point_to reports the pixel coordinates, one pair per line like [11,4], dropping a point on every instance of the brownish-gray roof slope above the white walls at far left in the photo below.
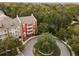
[7,22]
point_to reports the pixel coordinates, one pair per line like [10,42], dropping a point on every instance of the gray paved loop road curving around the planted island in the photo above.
[28,49]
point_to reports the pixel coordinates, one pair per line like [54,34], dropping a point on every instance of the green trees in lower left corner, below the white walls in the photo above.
[8,46]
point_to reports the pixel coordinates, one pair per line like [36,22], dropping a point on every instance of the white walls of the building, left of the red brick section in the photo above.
[13,32]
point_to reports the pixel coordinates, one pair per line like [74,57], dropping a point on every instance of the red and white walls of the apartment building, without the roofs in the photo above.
[24,30]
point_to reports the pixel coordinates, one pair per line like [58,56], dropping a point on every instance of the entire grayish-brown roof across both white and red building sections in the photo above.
[8,23]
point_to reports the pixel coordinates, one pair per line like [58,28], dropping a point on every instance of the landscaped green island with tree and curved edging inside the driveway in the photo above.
[46,46]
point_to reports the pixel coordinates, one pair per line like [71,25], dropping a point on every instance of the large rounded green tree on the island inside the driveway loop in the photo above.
[46,42]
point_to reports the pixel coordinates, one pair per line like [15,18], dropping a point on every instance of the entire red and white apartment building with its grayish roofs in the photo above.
[19,26]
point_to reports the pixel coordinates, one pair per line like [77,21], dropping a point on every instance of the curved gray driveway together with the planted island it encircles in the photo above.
[45,48]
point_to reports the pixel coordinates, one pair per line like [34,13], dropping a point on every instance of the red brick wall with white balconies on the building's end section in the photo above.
[28,29]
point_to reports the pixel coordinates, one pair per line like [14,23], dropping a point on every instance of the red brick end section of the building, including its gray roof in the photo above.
[28,25]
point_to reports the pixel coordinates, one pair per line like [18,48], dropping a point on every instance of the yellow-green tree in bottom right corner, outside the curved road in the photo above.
[74,43]
